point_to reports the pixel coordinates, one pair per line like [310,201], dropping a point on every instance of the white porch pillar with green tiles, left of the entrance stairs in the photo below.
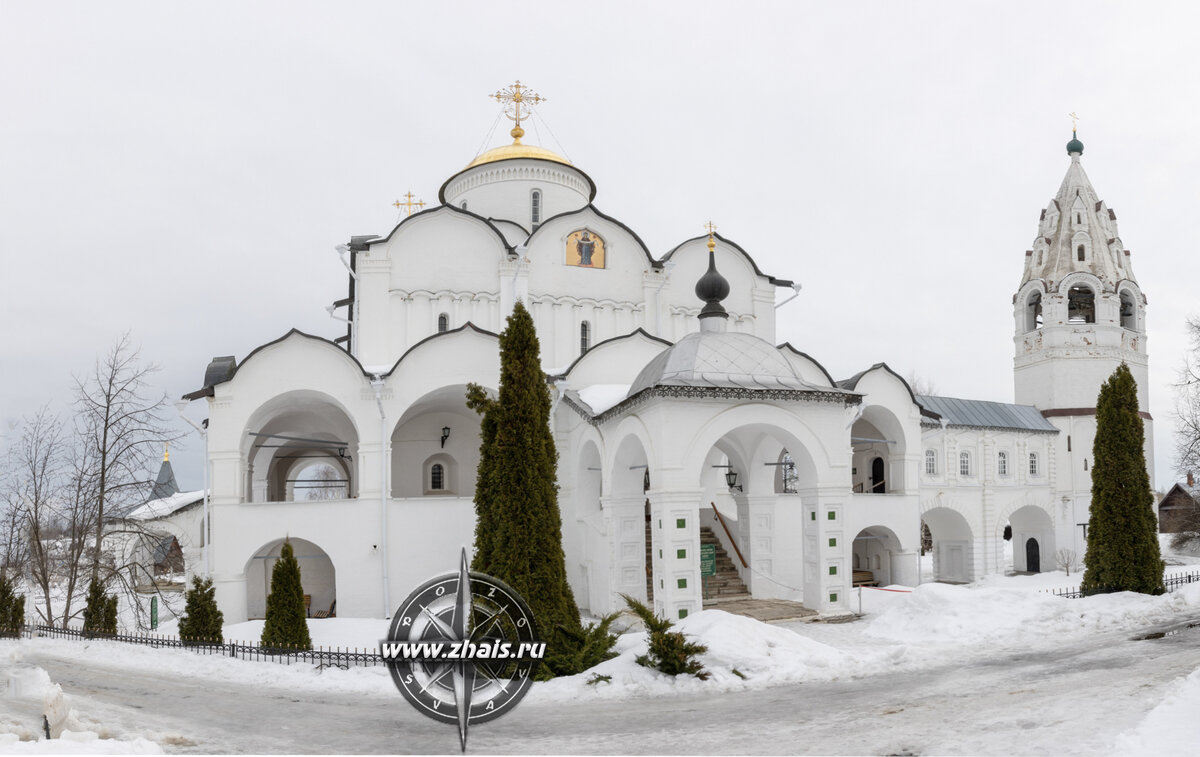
[675,528]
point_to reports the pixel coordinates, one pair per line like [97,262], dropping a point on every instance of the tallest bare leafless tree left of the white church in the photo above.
[122,426]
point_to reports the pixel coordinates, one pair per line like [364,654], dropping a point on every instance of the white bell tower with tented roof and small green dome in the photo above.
[1079,314]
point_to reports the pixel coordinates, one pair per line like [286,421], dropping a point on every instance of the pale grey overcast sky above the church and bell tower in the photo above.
[185,171]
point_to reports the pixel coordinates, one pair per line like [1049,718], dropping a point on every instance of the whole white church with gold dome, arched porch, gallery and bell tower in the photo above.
[677,417]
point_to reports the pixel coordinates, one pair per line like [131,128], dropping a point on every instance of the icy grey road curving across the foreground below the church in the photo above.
[1073,700]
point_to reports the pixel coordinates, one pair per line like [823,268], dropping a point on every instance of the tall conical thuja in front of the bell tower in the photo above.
[1123,539]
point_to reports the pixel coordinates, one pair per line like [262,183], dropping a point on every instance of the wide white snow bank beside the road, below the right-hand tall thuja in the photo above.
[943,614]
